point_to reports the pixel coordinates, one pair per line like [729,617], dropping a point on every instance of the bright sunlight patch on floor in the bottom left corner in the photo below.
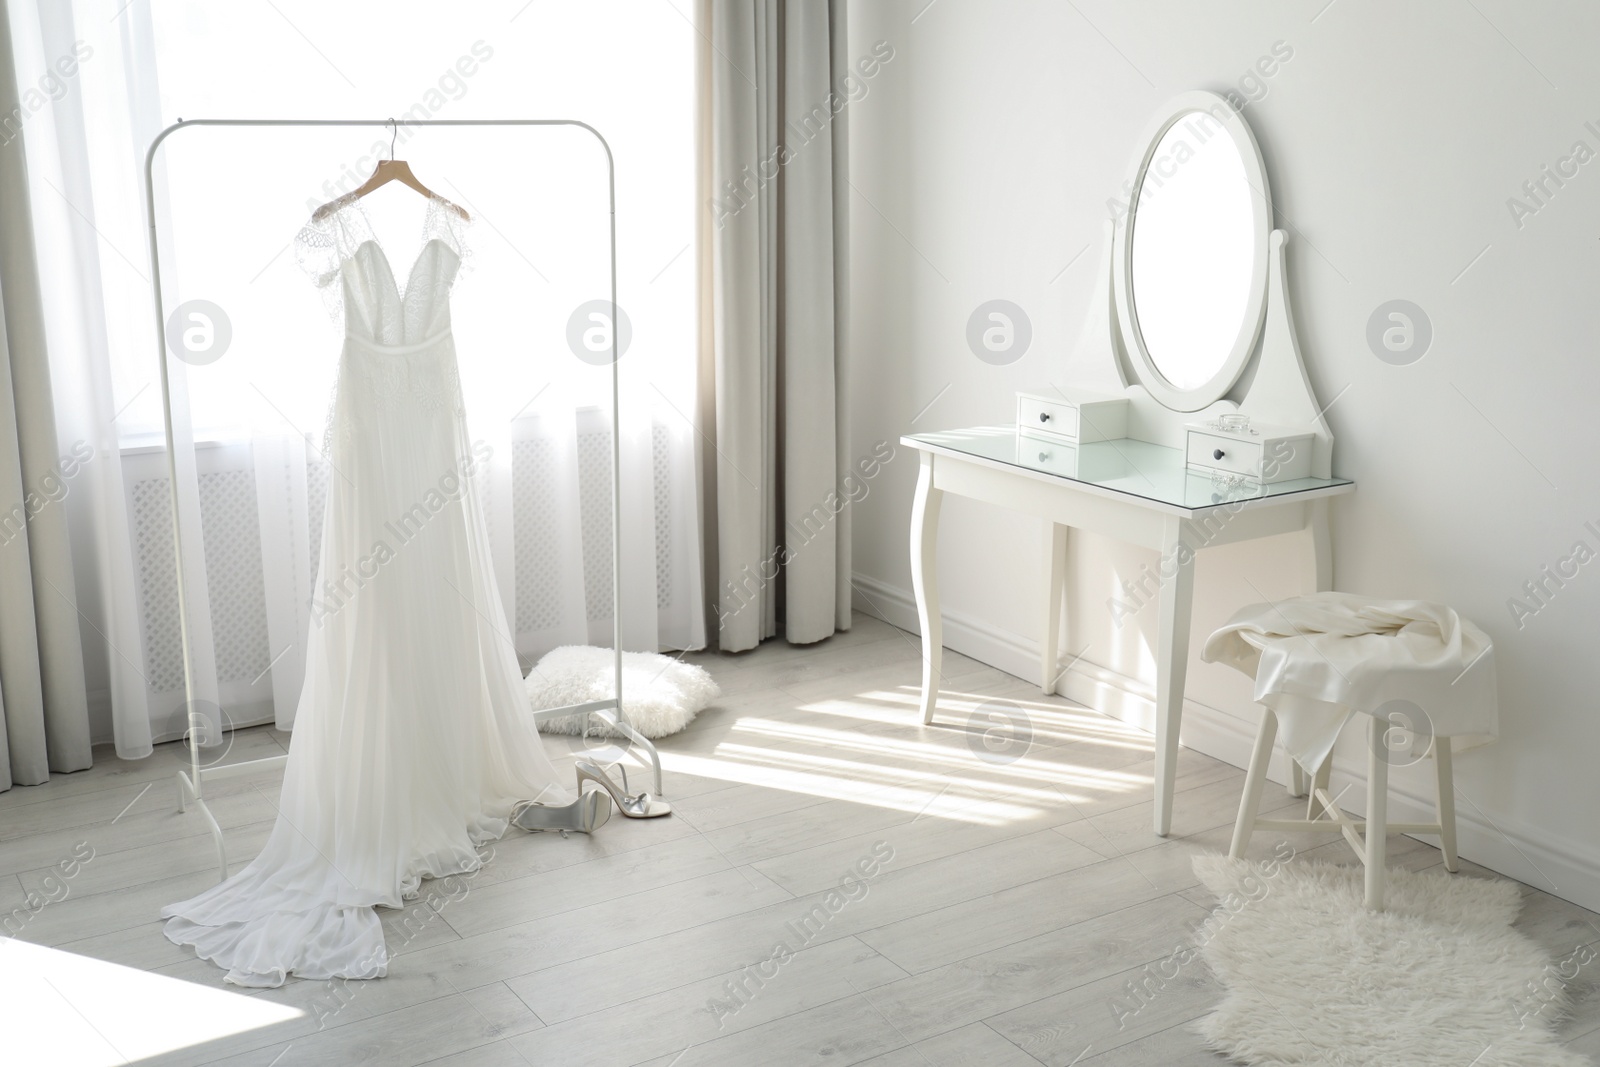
[79,1012]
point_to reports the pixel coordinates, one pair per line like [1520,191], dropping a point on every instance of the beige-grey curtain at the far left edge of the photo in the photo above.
[46,724]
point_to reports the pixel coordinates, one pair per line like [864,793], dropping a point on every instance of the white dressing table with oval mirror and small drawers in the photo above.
[1183,420]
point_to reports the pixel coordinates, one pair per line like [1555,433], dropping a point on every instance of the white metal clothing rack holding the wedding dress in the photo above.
[191,783]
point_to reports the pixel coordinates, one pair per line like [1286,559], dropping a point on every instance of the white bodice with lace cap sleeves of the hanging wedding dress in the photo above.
[346,263]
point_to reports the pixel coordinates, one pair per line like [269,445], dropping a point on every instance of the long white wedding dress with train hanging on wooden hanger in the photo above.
[414,738]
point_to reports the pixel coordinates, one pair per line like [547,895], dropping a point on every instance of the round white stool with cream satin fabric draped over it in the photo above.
[1420,673]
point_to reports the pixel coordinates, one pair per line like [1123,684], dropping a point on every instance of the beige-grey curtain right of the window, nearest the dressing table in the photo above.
[774,319]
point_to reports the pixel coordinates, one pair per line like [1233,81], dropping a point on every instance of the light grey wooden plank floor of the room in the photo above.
[1014,895]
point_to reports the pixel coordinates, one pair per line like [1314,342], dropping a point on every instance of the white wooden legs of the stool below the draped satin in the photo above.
[1366,836]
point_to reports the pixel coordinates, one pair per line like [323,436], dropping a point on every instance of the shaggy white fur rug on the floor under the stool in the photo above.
[1314,978]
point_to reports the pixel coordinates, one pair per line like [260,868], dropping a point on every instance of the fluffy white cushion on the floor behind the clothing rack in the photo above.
[660,695]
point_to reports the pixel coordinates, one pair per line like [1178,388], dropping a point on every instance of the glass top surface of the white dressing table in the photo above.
[1153,473]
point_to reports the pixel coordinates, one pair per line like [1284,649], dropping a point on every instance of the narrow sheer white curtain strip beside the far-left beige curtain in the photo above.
[79,137]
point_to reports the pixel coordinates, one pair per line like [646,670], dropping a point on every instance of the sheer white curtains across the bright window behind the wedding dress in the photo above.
[250,422]
